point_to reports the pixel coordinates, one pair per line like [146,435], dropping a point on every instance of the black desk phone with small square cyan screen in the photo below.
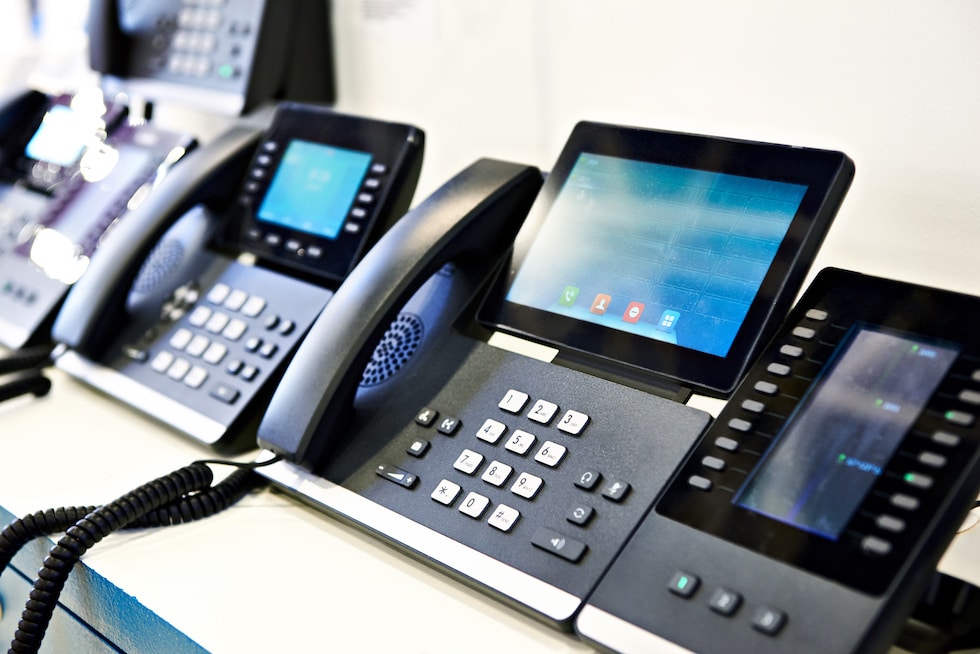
[173,320]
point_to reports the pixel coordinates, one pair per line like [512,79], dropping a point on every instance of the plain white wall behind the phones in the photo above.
[894,83]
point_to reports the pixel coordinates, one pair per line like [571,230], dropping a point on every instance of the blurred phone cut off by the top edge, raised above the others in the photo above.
[224,57]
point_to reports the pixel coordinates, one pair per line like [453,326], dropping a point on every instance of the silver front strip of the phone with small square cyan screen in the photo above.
[147,400]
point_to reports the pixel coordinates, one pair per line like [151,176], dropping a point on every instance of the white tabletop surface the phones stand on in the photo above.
[269,574]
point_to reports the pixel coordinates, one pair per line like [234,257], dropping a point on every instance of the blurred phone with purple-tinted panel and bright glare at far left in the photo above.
[71,166]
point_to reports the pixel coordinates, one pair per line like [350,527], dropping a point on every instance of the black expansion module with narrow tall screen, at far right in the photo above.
[810,515]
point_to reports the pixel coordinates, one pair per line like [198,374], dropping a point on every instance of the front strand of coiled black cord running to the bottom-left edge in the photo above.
[87,532]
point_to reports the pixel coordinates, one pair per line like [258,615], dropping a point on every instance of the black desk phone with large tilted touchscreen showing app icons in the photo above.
[654,258]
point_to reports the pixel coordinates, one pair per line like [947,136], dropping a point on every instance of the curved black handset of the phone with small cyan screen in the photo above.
[95,307]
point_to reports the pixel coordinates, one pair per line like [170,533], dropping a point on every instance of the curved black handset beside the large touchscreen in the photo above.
[472,218]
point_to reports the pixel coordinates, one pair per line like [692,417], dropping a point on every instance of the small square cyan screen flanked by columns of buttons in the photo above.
[314,187]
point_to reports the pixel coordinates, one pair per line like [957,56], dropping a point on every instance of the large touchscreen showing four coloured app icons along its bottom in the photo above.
[664,252]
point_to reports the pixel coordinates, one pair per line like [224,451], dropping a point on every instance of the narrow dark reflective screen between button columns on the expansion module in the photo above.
[846,429]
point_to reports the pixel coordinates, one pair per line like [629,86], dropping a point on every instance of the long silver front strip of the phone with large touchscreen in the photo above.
[554,603]
